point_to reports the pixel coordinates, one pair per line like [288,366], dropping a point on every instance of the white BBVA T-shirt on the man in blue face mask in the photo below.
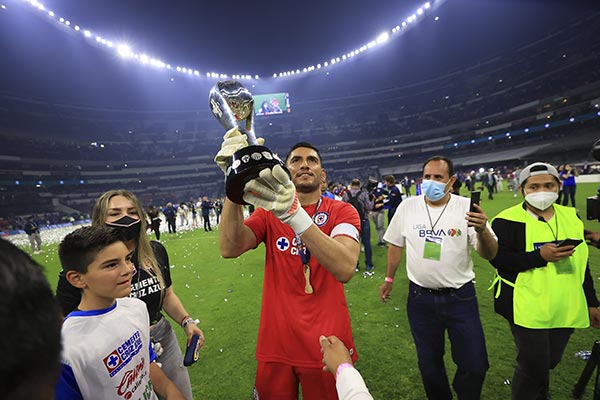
[411,226]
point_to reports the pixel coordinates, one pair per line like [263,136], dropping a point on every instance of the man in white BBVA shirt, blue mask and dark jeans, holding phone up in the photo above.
[436,229]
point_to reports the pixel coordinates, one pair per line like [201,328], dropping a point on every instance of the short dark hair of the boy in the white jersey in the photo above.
[79,248]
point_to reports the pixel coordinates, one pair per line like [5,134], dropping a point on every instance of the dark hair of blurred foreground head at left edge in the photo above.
[30,328]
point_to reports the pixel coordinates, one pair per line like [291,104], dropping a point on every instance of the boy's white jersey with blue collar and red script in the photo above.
[107,353]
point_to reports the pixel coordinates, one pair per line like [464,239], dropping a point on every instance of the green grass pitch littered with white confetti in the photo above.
[225,295]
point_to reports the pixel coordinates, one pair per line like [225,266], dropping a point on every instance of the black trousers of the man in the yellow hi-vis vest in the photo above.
[538,351]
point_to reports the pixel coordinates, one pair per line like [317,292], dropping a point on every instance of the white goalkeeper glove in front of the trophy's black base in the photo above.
[274,191]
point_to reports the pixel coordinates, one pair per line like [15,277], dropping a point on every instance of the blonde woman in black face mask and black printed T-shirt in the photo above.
[120,209]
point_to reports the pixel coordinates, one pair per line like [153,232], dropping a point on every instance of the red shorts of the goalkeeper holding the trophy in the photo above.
[276,381]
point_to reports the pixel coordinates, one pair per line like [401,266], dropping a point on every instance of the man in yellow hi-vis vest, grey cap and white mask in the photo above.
[544,289]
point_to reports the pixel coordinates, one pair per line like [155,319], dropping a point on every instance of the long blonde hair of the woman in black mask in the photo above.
[145,255]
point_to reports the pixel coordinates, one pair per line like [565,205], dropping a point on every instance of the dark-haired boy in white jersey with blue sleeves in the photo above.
[107,351]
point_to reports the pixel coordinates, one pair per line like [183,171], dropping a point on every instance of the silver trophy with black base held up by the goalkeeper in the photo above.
[230,103]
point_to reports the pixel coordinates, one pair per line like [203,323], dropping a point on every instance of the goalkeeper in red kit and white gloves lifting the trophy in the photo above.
[312,247]
